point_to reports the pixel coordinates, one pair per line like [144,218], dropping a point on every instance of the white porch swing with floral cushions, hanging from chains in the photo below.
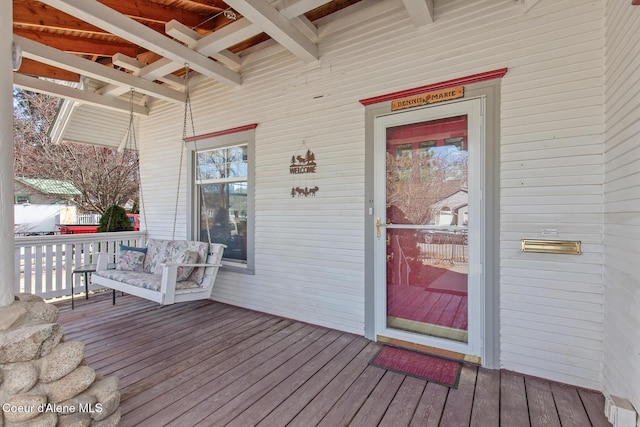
[165,271]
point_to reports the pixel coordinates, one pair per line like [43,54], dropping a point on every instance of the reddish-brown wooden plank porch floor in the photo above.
[209,364]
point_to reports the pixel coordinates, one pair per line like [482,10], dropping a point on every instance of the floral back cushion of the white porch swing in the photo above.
[160,252]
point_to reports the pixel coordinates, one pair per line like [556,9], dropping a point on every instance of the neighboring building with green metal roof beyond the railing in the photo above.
[40,191]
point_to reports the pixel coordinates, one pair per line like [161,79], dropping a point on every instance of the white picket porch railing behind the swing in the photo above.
[44,265]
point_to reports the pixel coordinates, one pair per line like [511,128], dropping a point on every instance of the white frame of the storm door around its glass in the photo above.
[473,109]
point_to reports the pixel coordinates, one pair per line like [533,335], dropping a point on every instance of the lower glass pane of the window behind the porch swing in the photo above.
[223,211]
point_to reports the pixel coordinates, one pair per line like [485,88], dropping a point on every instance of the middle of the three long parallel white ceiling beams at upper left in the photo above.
[54,57]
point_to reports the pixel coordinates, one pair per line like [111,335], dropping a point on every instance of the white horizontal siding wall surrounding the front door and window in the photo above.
[309,252]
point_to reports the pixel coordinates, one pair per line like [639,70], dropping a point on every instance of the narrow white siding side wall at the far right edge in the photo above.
[622,202]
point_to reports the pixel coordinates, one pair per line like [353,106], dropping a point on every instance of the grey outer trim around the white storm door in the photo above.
[489,91]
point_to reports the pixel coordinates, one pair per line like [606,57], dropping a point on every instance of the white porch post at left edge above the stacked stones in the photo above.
[7,253]
